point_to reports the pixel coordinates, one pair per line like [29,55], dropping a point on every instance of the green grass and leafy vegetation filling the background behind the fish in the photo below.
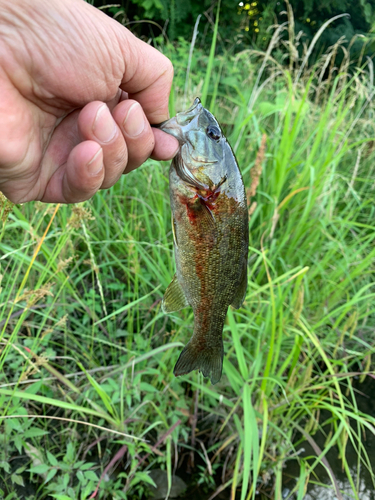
[89,405]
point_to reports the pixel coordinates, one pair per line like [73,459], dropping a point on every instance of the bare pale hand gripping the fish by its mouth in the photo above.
[78,95]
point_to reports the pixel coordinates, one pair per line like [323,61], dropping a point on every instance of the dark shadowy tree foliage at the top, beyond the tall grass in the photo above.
[244,24]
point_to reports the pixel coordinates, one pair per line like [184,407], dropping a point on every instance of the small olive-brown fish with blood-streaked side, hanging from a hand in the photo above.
[210,236]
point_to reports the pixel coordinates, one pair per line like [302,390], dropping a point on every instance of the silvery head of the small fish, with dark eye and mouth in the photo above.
[199,134]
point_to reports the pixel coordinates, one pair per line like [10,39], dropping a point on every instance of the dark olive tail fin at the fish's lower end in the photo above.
[209,361]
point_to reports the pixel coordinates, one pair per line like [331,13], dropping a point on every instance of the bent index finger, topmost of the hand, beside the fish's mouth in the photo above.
[148,78]
